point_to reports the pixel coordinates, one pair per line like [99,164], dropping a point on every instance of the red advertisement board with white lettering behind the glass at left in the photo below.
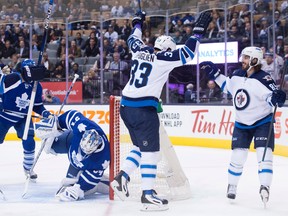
[59,89]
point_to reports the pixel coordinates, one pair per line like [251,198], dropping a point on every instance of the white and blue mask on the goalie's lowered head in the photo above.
[91,141]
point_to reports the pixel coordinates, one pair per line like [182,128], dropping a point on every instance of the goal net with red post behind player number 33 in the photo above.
[171,181]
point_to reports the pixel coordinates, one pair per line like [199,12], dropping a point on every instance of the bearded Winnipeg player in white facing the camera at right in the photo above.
[254,94]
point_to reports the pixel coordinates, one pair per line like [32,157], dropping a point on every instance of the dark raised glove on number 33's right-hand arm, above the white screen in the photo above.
[201,24]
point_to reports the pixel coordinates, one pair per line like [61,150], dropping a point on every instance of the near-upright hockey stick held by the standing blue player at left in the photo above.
[34,89]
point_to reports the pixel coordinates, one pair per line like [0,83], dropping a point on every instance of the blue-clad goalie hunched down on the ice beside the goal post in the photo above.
[88,152]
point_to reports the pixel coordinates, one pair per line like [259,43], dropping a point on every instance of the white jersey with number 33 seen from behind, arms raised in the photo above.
[150,71]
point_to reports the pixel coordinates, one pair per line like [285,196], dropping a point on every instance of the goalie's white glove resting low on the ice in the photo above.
[72,193]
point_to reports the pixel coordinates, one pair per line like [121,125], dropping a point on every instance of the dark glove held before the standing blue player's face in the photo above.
[33,73]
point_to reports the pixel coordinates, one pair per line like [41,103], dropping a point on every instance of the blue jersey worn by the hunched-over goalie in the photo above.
[76,122]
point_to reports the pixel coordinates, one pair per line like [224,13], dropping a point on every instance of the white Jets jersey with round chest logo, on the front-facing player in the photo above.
[251,95]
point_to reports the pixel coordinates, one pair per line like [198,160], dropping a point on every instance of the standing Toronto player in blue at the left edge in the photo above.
[16,90]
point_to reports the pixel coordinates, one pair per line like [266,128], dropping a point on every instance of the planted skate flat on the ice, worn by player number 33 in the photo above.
[153,203]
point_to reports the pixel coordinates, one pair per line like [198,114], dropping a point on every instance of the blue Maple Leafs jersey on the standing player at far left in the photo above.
[15,95]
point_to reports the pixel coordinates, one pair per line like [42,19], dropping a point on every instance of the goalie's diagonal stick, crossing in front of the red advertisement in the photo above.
[76,76]
